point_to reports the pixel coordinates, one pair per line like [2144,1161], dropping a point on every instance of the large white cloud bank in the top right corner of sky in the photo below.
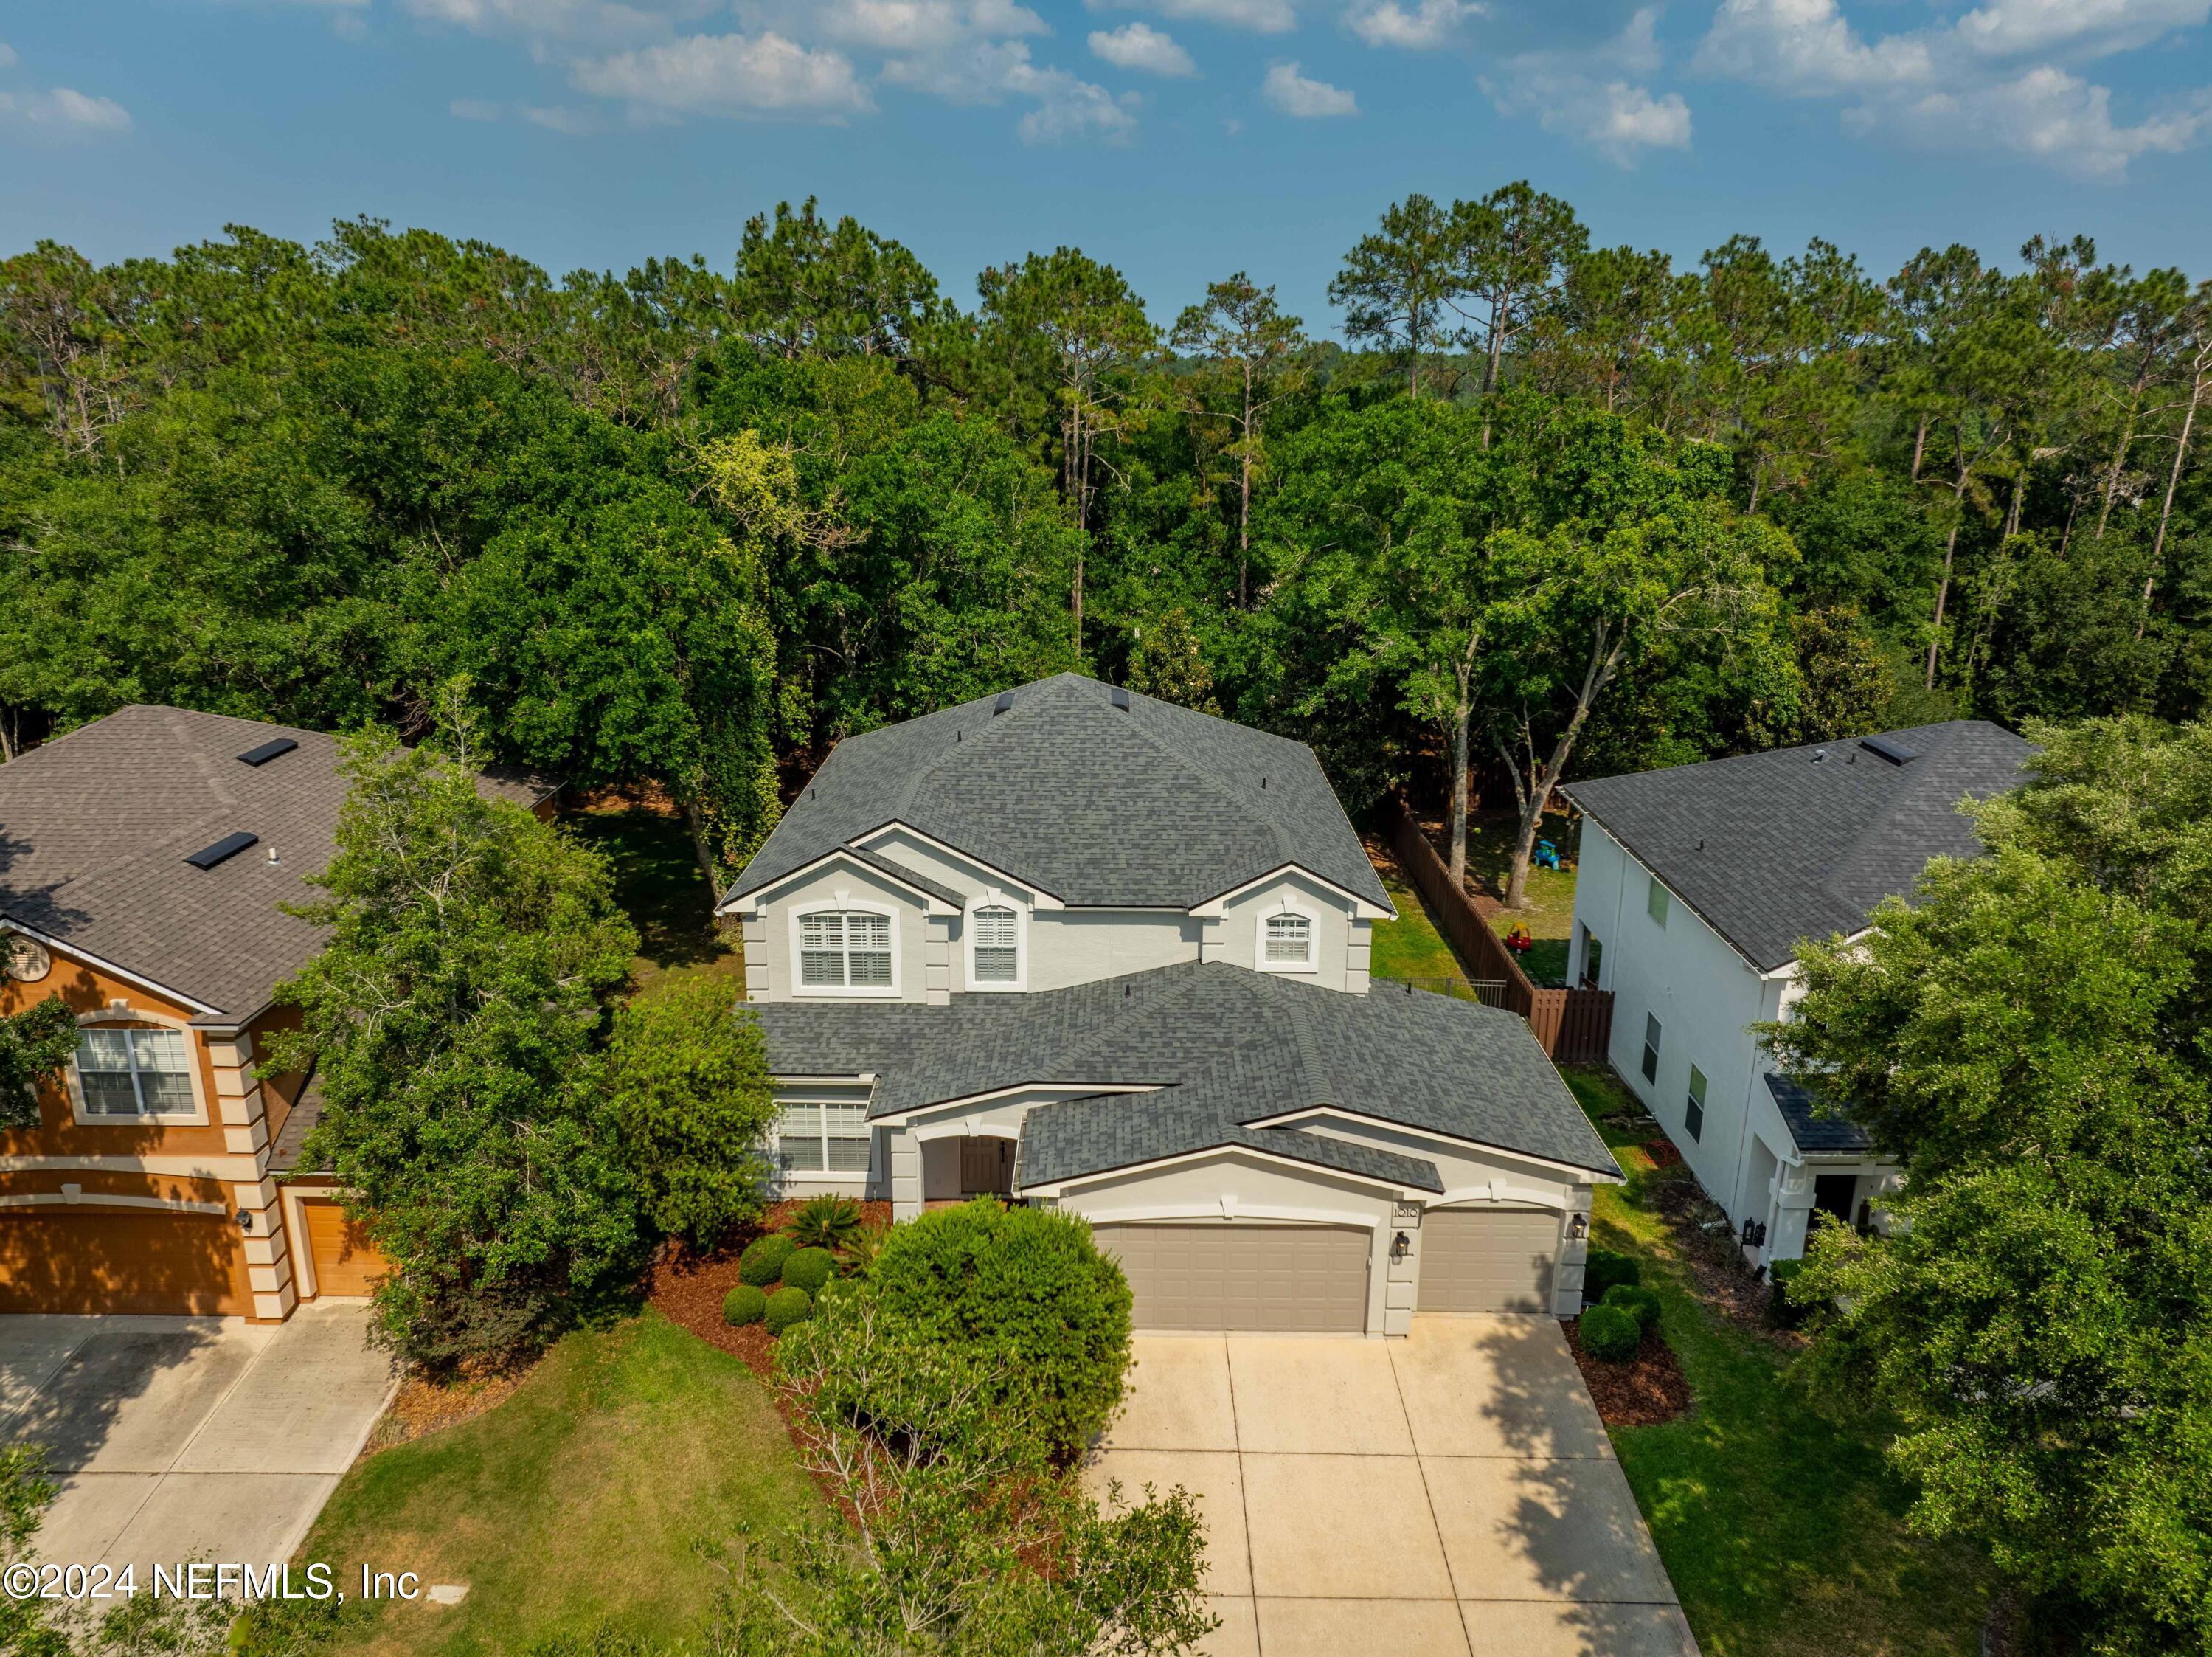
[1970,83]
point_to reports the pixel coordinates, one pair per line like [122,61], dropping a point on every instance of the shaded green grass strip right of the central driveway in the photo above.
[1782,1530]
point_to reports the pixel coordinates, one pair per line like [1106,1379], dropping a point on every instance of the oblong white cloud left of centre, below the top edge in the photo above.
[729,76]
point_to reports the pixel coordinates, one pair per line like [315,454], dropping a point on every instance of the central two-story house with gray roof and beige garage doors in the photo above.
[1089,950]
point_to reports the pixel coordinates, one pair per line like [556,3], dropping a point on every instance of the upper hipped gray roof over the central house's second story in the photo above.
[1142,806]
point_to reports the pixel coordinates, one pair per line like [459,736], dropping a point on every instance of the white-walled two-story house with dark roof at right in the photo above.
[1693,895]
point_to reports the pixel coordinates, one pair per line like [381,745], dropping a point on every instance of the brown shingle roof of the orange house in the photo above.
[96,828]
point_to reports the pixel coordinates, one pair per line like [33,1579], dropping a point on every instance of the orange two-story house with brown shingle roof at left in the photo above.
[143,871]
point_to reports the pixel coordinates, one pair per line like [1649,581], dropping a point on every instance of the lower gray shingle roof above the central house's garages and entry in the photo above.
[1229,1048]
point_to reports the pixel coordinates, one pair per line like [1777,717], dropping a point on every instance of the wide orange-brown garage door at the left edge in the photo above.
[123,1260]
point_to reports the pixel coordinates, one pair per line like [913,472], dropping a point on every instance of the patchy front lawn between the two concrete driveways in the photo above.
[574,1503]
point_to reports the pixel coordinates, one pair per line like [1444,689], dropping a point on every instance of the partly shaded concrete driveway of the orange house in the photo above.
[189,1437]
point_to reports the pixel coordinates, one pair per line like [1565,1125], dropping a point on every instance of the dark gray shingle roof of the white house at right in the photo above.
[1775,848]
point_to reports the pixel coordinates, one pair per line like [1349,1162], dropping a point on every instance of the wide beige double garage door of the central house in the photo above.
[1244,1278]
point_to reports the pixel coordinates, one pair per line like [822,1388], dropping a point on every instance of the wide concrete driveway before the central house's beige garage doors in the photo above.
[1448,1494]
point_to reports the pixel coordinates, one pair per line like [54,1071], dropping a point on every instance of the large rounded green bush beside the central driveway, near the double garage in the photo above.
[1027,1289]
